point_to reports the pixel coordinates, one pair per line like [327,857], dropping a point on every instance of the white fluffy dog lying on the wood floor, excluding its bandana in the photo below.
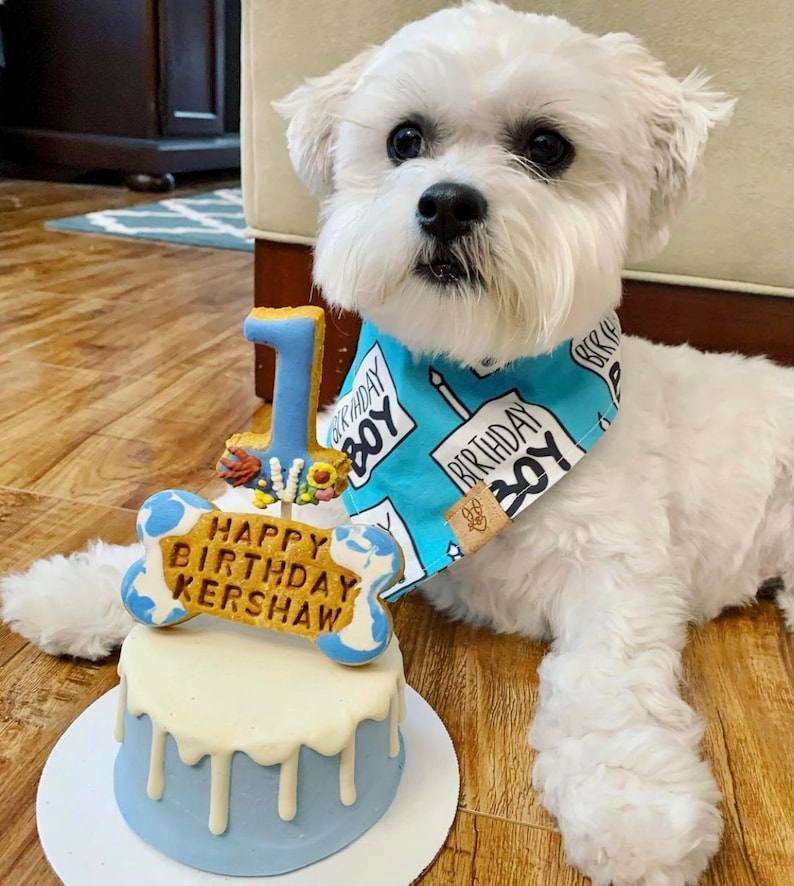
[483,177]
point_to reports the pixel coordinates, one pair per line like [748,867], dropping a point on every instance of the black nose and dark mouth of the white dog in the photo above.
[446,212]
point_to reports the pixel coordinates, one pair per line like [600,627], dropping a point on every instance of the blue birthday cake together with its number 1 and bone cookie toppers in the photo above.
[262,691]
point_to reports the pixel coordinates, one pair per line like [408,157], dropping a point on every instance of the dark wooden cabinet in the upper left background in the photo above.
[145,87]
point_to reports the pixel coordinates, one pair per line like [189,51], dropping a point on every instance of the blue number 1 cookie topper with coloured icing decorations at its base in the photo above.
[288,465]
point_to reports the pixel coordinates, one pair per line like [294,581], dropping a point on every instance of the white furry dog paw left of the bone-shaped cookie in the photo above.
[71,605]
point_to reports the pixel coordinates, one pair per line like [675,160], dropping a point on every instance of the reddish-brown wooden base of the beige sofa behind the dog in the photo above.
[708,319]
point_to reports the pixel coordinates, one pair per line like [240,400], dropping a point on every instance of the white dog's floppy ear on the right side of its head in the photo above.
[677,118]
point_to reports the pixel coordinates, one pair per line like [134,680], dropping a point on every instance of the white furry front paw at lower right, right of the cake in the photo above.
[650,820]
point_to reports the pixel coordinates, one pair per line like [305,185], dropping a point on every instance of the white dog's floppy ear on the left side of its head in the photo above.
[312,110]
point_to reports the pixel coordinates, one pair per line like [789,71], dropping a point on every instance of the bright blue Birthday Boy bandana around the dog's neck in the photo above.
[445,457]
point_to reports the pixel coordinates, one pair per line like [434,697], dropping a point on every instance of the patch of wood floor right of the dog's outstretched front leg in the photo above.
[736,678]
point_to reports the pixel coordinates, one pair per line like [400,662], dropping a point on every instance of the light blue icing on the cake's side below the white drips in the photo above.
[257,841]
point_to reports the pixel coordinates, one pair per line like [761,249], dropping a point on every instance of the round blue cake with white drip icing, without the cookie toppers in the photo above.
[249,753]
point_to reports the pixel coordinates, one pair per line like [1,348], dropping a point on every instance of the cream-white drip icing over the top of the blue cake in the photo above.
[311,720]
